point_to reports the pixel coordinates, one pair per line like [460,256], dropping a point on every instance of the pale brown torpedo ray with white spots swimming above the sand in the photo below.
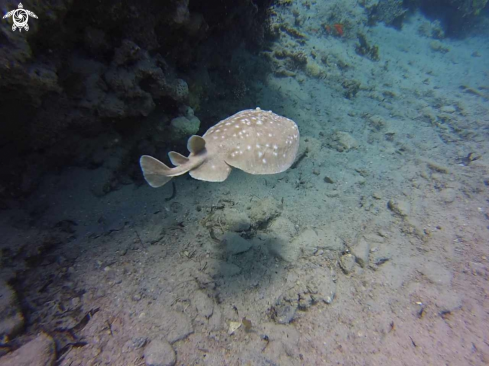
[255,141]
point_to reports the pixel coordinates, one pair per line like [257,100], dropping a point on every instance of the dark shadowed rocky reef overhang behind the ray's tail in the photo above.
[109,69]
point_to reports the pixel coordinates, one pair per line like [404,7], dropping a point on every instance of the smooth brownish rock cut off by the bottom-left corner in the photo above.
[41,351]
